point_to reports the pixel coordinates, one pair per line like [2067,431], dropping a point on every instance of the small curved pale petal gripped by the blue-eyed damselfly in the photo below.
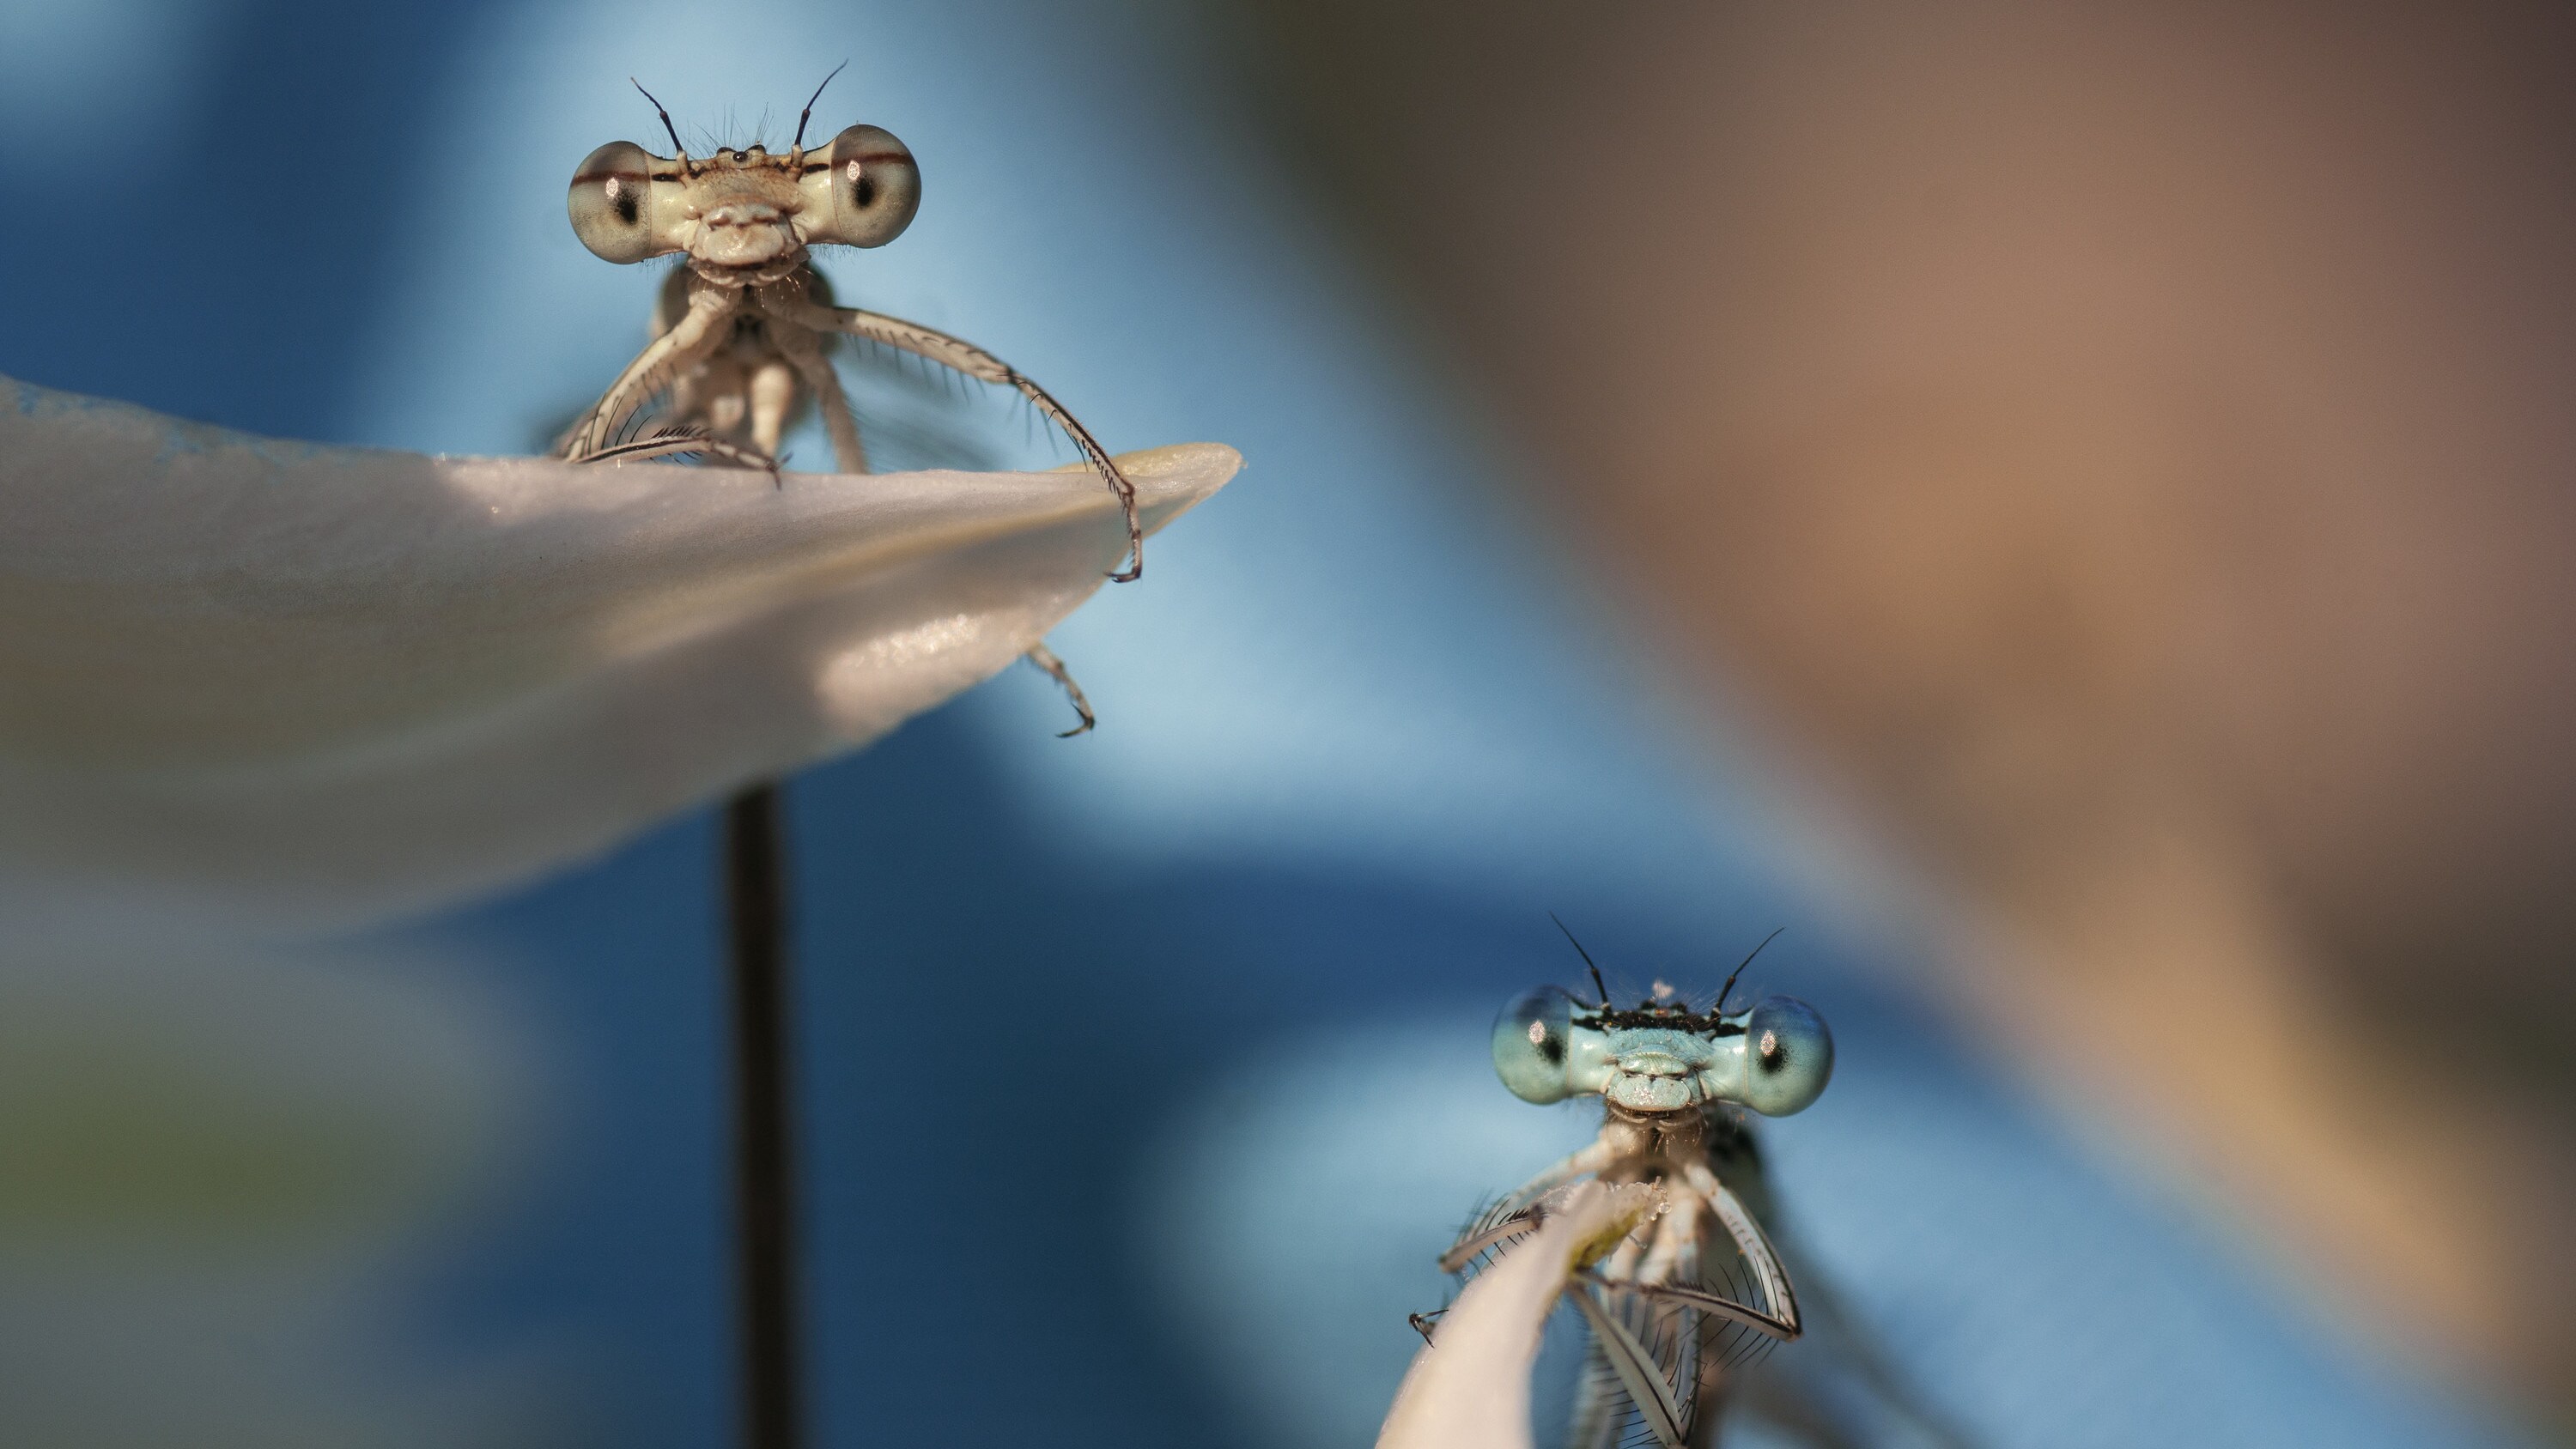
[1470,1386]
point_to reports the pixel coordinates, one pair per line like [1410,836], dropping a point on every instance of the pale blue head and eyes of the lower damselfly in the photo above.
[1663,1057]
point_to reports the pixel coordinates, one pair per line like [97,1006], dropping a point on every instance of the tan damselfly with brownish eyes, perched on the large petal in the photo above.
[743,331]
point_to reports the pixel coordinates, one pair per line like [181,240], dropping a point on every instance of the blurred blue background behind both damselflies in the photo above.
[1235,954]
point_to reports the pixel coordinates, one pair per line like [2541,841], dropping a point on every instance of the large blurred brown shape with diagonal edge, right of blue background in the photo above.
[2129,449]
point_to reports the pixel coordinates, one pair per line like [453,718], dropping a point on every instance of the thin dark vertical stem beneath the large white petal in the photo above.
[756,905]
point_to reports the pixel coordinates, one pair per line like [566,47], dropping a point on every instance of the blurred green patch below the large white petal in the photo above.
[133,1126]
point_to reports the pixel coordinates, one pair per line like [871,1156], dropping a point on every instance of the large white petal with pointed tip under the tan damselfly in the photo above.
[318,686]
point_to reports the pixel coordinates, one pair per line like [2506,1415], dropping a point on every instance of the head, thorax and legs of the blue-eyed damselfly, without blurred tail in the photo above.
[1696,1288]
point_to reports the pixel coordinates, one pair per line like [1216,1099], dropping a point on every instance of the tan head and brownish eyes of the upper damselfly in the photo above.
[746,210]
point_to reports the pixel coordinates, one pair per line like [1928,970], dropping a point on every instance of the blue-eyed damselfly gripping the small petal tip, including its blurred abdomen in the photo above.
[1676,1309]
